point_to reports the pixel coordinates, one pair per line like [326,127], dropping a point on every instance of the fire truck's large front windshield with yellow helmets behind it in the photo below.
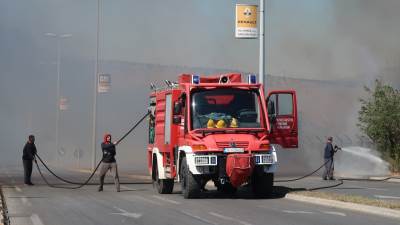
[226,108]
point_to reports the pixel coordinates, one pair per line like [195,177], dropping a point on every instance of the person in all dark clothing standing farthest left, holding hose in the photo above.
[28,156]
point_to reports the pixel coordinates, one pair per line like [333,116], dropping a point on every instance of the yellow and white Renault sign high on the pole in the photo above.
[246,21]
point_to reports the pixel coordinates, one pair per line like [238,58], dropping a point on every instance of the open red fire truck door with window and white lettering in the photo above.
[282,115]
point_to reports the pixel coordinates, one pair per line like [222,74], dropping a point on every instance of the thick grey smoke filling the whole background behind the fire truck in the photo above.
[326,50]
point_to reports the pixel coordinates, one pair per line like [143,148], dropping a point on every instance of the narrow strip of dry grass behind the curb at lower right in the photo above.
[351,198]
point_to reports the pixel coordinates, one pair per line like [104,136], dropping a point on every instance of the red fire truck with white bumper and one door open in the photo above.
[218,128]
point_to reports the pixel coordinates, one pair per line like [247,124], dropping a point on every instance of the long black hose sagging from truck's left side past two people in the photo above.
[91,175]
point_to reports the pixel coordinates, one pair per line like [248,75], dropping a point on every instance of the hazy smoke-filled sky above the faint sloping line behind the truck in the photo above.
[317,39]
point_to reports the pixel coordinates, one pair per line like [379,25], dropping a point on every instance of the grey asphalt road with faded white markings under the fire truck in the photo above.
[140,204]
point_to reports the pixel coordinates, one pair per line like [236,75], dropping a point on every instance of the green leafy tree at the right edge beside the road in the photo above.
[379,120]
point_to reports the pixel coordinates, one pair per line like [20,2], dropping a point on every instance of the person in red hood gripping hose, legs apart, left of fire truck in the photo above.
[108,162]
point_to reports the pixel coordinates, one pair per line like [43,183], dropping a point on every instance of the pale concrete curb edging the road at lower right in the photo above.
[347,205]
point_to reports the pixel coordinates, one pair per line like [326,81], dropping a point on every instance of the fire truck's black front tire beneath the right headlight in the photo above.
[262,183]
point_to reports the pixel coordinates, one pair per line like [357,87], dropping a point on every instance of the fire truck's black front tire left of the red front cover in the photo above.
[190,187]
